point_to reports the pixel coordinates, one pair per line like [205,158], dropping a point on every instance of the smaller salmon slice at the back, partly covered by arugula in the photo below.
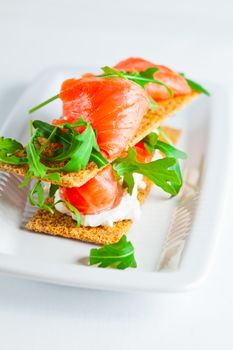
[172,79]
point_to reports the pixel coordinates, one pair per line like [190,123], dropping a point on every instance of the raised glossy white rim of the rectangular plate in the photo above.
[192,273]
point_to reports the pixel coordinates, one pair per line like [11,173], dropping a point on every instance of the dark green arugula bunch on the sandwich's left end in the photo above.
[75,149]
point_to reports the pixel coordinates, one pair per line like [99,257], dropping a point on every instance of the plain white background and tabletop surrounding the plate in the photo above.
[192,36]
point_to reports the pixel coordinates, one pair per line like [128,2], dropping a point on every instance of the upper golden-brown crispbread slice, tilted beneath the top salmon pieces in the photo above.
[150,121]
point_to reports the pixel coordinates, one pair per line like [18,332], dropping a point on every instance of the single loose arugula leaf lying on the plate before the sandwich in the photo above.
[119,255]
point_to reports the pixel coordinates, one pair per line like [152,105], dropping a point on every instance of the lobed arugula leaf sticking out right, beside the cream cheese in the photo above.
[161,172]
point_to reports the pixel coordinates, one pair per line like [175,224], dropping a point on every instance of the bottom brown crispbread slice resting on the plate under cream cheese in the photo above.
[63,225]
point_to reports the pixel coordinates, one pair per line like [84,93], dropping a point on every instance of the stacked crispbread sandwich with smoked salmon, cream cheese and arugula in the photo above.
[93,167]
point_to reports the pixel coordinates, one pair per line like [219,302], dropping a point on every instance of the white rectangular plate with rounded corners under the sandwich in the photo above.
[206,137]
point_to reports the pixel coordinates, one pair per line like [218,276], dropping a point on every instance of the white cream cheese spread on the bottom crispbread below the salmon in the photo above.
[128,208]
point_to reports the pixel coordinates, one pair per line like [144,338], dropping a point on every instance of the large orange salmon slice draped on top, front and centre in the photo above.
[113,106]
